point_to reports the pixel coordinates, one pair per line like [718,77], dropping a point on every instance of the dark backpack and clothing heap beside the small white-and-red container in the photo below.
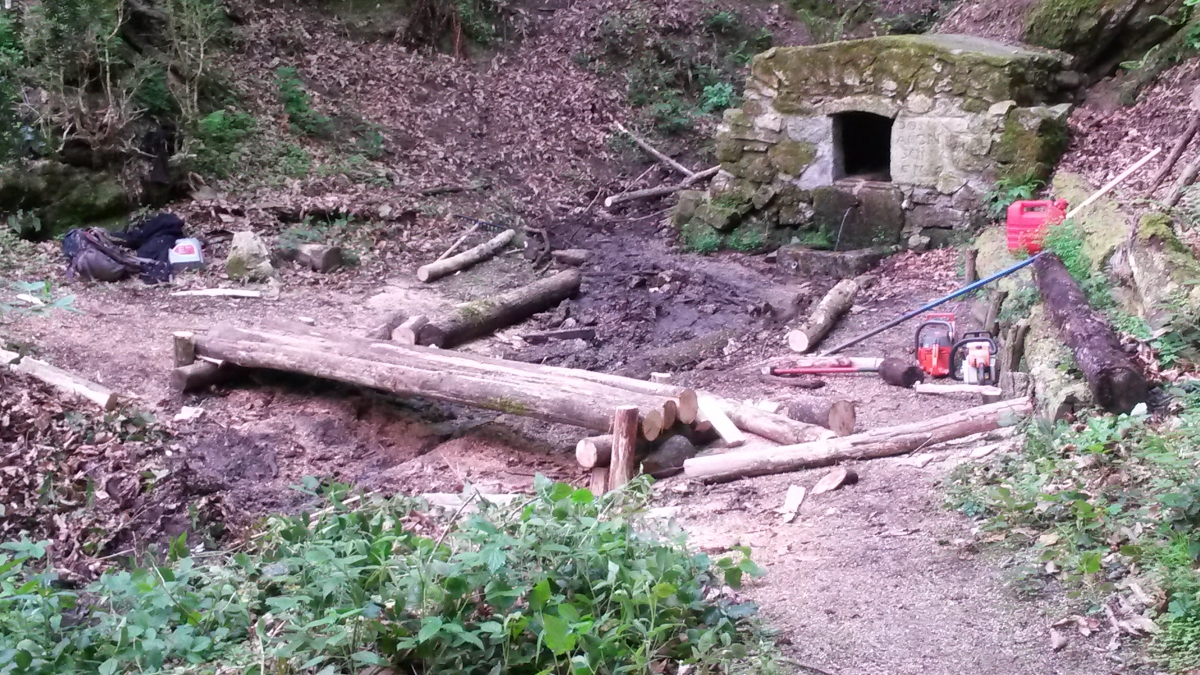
[97,254]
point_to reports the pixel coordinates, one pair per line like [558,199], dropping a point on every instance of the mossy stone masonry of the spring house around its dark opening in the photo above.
[965,114]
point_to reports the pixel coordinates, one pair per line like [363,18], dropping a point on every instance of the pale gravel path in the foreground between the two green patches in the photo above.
[879,578]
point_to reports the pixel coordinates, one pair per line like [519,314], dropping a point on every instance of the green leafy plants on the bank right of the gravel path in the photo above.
[1102,507]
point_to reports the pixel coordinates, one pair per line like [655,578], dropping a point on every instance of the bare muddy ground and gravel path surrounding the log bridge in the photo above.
[877,578]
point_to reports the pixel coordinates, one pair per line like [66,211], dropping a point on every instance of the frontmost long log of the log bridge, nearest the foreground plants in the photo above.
[580,404]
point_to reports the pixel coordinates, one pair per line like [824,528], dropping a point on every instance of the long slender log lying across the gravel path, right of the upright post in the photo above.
[872,445]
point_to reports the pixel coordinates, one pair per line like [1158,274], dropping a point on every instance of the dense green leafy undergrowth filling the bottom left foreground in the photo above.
[562,583]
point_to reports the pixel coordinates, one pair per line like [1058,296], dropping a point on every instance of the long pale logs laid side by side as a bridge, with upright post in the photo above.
[631,411]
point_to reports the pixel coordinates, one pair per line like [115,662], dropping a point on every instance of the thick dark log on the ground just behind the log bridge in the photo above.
[487,316]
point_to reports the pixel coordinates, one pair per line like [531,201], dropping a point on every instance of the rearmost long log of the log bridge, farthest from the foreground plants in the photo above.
[676,403]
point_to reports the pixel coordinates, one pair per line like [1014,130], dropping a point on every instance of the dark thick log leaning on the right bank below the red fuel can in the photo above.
[1117,383]
